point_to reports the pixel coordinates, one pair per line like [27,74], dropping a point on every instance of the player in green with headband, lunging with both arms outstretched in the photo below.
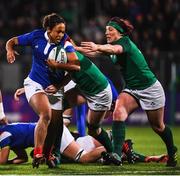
[142,89]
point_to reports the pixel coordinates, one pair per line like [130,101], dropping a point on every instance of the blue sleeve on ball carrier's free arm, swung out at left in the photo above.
[26,39]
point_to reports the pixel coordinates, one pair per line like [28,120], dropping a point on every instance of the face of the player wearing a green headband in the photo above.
[112,34]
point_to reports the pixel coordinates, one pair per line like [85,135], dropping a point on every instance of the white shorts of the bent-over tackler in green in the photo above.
[101,101]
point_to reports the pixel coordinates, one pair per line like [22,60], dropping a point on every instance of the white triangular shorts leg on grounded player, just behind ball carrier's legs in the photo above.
[66,139]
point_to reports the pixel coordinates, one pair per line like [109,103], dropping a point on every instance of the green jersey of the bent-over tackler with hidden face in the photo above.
[89,79]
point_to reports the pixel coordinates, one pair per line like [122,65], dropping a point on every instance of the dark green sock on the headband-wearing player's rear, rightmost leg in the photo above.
[167,137]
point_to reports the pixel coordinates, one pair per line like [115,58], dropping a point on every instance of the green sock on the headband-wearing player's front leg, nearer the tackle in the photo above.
[118,134]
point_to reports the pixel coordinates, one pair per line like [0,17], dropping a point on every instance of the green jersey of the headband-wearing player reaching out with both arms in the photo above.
[135,70]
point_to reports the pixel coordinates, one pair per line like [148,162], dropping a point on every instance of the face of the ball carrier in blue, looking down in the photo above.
[57,33]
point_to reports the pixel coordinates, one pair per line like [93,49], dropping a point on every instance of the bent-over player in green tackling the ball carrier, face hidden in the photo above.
[91,87]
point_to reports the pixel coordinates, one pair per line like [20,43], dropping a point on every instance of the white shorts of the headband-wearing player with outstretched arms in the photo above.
[151,98]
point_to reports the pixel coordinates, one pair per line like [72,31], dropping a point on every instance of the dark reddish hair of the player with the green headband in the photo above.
[125,25]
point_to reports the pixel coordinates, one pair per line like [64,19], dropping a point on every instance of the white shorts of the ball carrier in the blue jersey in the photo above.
[31,88]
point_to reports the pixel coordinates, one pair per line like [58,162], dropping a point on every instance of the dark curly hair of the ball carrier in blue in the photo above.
[51,20]
